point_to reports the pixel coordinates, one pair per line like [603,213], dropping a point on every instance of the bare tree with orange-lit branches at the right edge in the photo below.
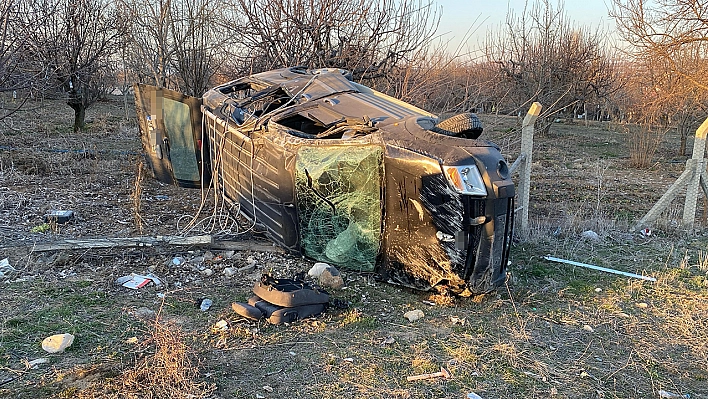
[669,42]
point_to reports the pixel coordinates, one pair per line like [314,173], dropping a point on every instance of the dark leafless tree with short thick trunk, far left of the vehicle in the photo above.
[69,47]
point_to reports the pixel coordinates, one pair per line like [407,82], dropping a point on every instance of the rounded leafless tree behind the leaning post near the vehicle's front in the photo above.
[541,56]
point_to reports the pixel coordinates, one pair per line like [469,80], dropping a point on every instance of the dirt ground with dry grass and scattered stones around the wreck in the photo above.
[553,331]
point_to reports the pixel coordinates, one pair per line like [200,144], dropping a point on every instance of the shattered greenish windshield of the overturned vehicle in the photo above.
[339,204]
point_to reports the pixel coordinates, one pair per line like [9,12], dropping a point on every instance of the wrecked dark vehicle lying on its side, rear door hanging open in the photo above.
[340,173]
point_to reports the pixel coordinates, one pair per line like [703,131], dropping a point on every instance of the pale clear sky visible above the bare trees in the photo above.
[481,16]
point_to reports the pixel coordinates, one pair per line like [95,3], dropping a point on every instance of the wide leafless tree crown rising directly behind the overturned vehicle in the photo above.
[368,37]
